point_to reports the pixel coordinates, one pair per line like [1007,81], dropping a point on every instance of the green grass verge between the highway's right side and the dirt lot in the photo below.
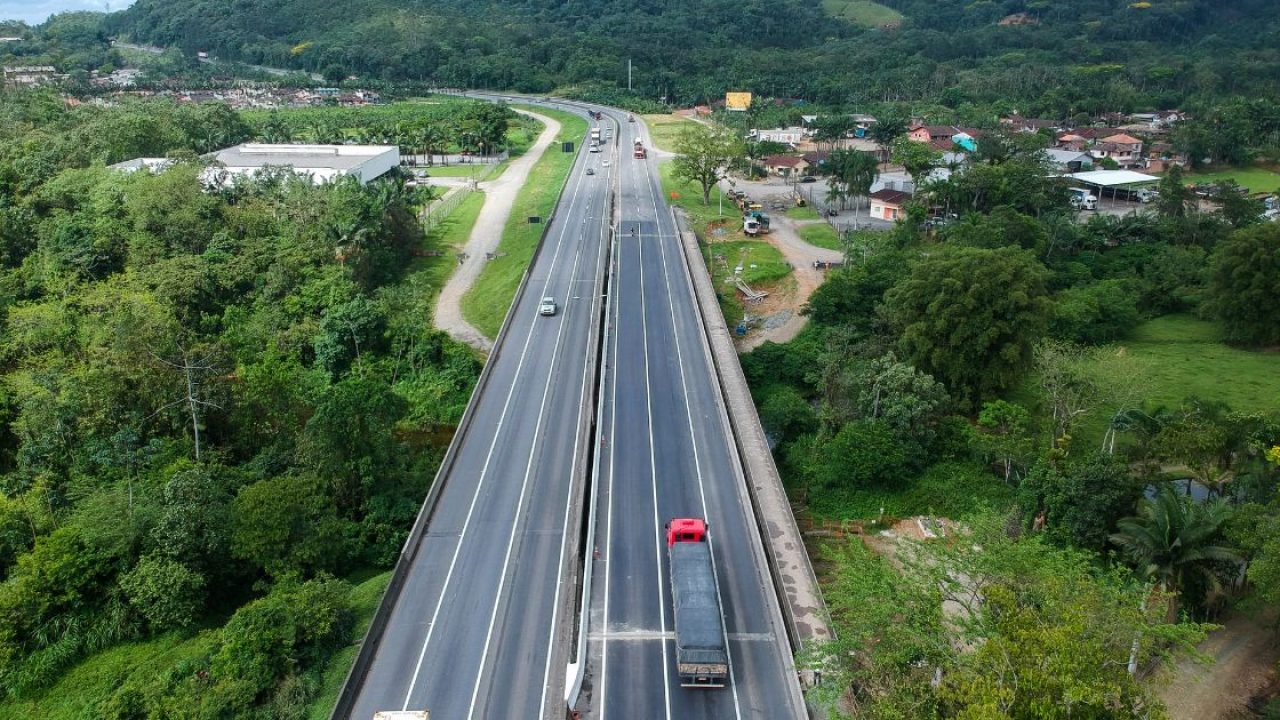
[725,245]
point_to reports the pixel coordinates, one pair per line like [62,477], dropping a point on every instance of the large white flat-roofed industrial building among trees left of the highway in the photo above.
[322,163]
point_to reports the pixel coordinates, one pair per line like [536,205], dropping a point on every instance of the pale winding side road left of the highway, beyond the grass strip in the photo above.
[486,236]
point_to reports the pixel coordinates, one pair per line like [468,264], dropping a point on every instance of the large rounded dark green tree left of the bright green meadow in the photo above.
[970,317]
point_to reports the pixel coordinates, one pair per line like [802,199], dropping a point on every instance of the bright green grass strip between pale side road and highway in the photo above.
[487,303]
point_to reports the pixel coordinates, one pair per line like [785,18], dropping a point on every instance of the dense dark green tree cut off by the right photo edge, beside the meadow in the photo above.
[1245,286]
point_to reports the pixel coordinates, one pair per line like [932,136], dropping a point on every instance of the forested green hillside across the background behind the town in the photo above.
[1066,58]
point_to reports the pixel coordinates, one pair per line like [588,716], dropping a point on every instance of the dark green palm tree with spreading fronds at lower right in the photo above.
[1172,539]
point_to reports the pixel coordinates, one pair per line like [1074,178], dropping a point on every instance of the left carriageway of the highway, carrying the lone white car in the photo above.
[479,630]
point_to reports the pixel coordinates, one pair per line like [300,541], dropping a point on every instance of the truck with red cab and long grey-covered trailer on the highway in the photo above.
[702,650]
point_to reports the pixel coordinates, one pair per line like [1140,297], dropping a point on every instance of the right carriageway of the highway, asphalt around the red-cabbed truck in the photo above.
[669,454]
